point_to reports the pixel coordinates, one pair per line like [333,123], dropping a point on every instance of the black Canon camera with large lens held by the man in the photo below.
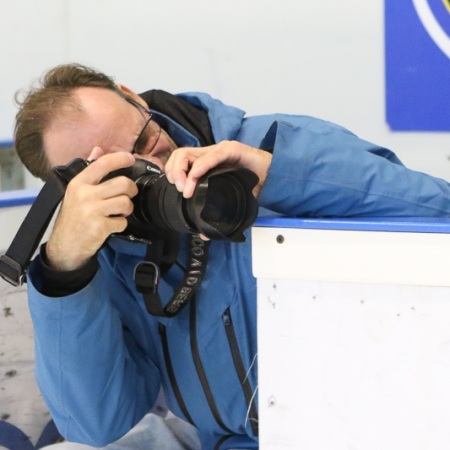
[222,205]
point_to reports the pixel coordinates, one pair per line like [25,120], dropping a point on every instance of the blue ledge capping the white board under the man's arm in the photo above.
[400,224]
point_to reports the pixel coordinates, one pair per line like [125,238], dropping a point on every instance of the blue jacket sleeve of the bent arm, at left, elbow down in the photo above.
[93,376]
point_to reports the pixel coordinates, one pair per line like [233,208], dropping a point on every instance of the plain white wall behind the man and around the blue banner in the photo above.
[322,58]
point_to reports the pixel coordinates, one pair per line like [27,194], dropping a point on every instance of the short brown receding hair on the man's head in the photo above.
[50,100]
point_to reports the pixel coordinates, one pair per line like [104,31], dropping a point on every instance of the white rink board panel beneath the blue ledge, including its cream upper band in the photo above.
[351,365]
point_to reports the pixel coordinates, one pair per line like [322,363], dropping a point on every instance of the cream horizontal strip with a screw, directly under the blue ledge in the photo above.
[411,258]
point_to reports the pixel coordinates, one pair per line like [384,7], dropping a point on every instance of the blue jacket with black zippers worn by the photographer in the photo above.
[101,358]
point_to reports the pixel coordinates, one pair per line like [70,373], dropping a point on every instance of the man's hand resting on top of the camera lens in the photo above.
[187,165]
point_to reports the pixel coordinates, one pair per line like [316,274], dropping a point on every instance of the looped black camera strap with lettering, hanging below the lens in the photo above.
[147,275]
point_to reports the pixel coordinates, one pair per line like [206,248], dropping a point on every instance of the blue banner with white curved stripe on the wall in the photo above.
[417,45]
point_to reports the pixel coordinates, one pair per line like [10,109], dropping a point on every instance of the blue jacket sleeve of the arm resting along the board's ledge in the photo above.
[320,169]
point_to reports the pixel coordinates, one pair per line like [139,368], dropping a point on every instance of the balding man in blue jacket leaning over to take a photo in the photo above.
[100,356]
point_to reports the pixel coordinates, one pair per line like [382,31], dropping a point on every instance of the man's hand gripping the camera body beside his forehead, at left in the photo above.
[91,211]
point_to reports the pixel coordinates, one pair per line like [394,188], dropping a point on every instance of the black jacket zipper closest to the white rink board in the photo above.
[240,369]
